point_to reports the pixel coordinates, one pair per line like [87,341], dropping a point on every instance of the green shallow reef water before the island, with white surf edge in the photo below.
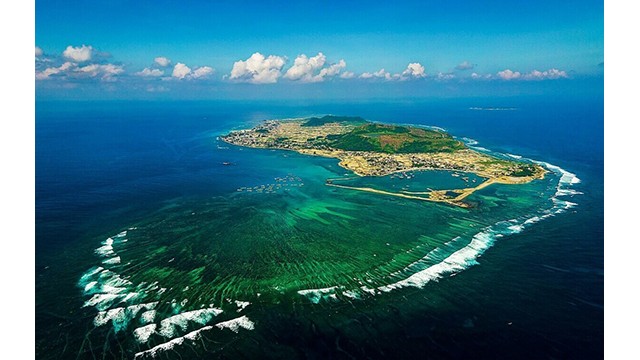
[195,264]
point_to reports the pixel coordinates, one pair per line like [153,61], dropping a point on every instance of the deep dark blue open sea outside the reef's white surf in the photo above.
[539,293]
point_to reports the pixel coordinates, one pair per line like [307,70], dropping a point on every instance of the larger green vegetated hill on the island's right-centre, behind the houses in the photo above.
[394,139]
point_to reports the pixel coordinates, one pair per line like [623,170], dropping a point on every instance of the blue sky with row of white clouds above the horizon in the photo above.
[248,49]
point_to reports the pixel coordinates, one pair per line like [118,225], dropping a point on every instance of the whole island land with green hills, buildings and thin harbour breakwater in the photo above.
[376,149]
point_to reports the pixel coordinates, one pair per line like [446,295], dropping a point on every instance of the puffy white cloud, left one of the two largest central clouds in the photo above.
[258,69]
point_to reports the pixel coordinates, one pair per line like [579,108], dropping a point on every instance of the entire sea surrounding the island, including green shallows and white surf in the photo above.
[150,244]
